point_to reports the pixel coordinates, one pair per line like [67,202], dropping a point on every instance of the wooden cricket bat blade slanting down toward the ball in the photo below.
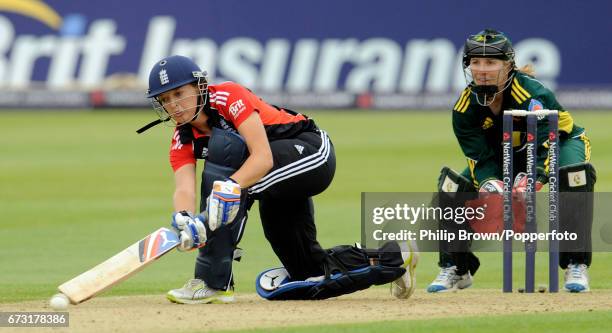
[120,267]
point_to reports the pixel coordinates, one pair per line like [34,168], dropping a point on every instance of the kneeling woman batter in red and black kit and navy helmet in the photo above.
[257,151]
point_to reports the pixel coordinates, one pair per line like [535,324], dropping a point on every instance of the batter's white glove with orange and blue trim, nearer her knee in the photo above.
[223,203]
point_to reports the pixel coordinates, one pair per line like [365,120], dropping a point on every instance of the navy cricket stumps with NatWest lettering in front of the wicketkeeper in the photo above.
[530,200]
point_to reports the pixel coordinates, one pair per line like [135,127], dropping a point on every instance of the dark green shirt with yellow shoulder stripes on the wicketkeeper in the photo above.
[479,131]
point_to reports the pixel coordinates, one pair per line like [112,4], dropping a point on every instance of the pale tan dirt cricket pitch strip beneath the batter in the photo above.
[155,314]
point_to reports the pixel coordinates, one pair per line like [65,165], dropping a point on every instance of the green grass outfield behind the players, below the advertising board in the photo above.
[77,187]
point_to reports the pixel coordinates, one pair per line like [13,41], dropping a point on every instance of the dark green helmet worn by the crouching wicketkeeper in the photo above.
[488,43]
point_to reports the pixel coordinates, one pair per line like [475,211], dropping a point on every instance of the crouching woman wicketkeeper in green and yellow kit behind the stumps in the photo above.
[496,84]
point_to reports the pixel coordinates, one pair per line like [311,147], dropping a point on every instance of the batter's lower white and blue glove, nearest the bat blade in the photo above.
[191,230]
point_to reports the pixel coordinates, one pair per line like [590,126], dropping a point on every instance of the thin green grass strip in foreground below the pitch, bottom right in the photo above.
[594,321]
